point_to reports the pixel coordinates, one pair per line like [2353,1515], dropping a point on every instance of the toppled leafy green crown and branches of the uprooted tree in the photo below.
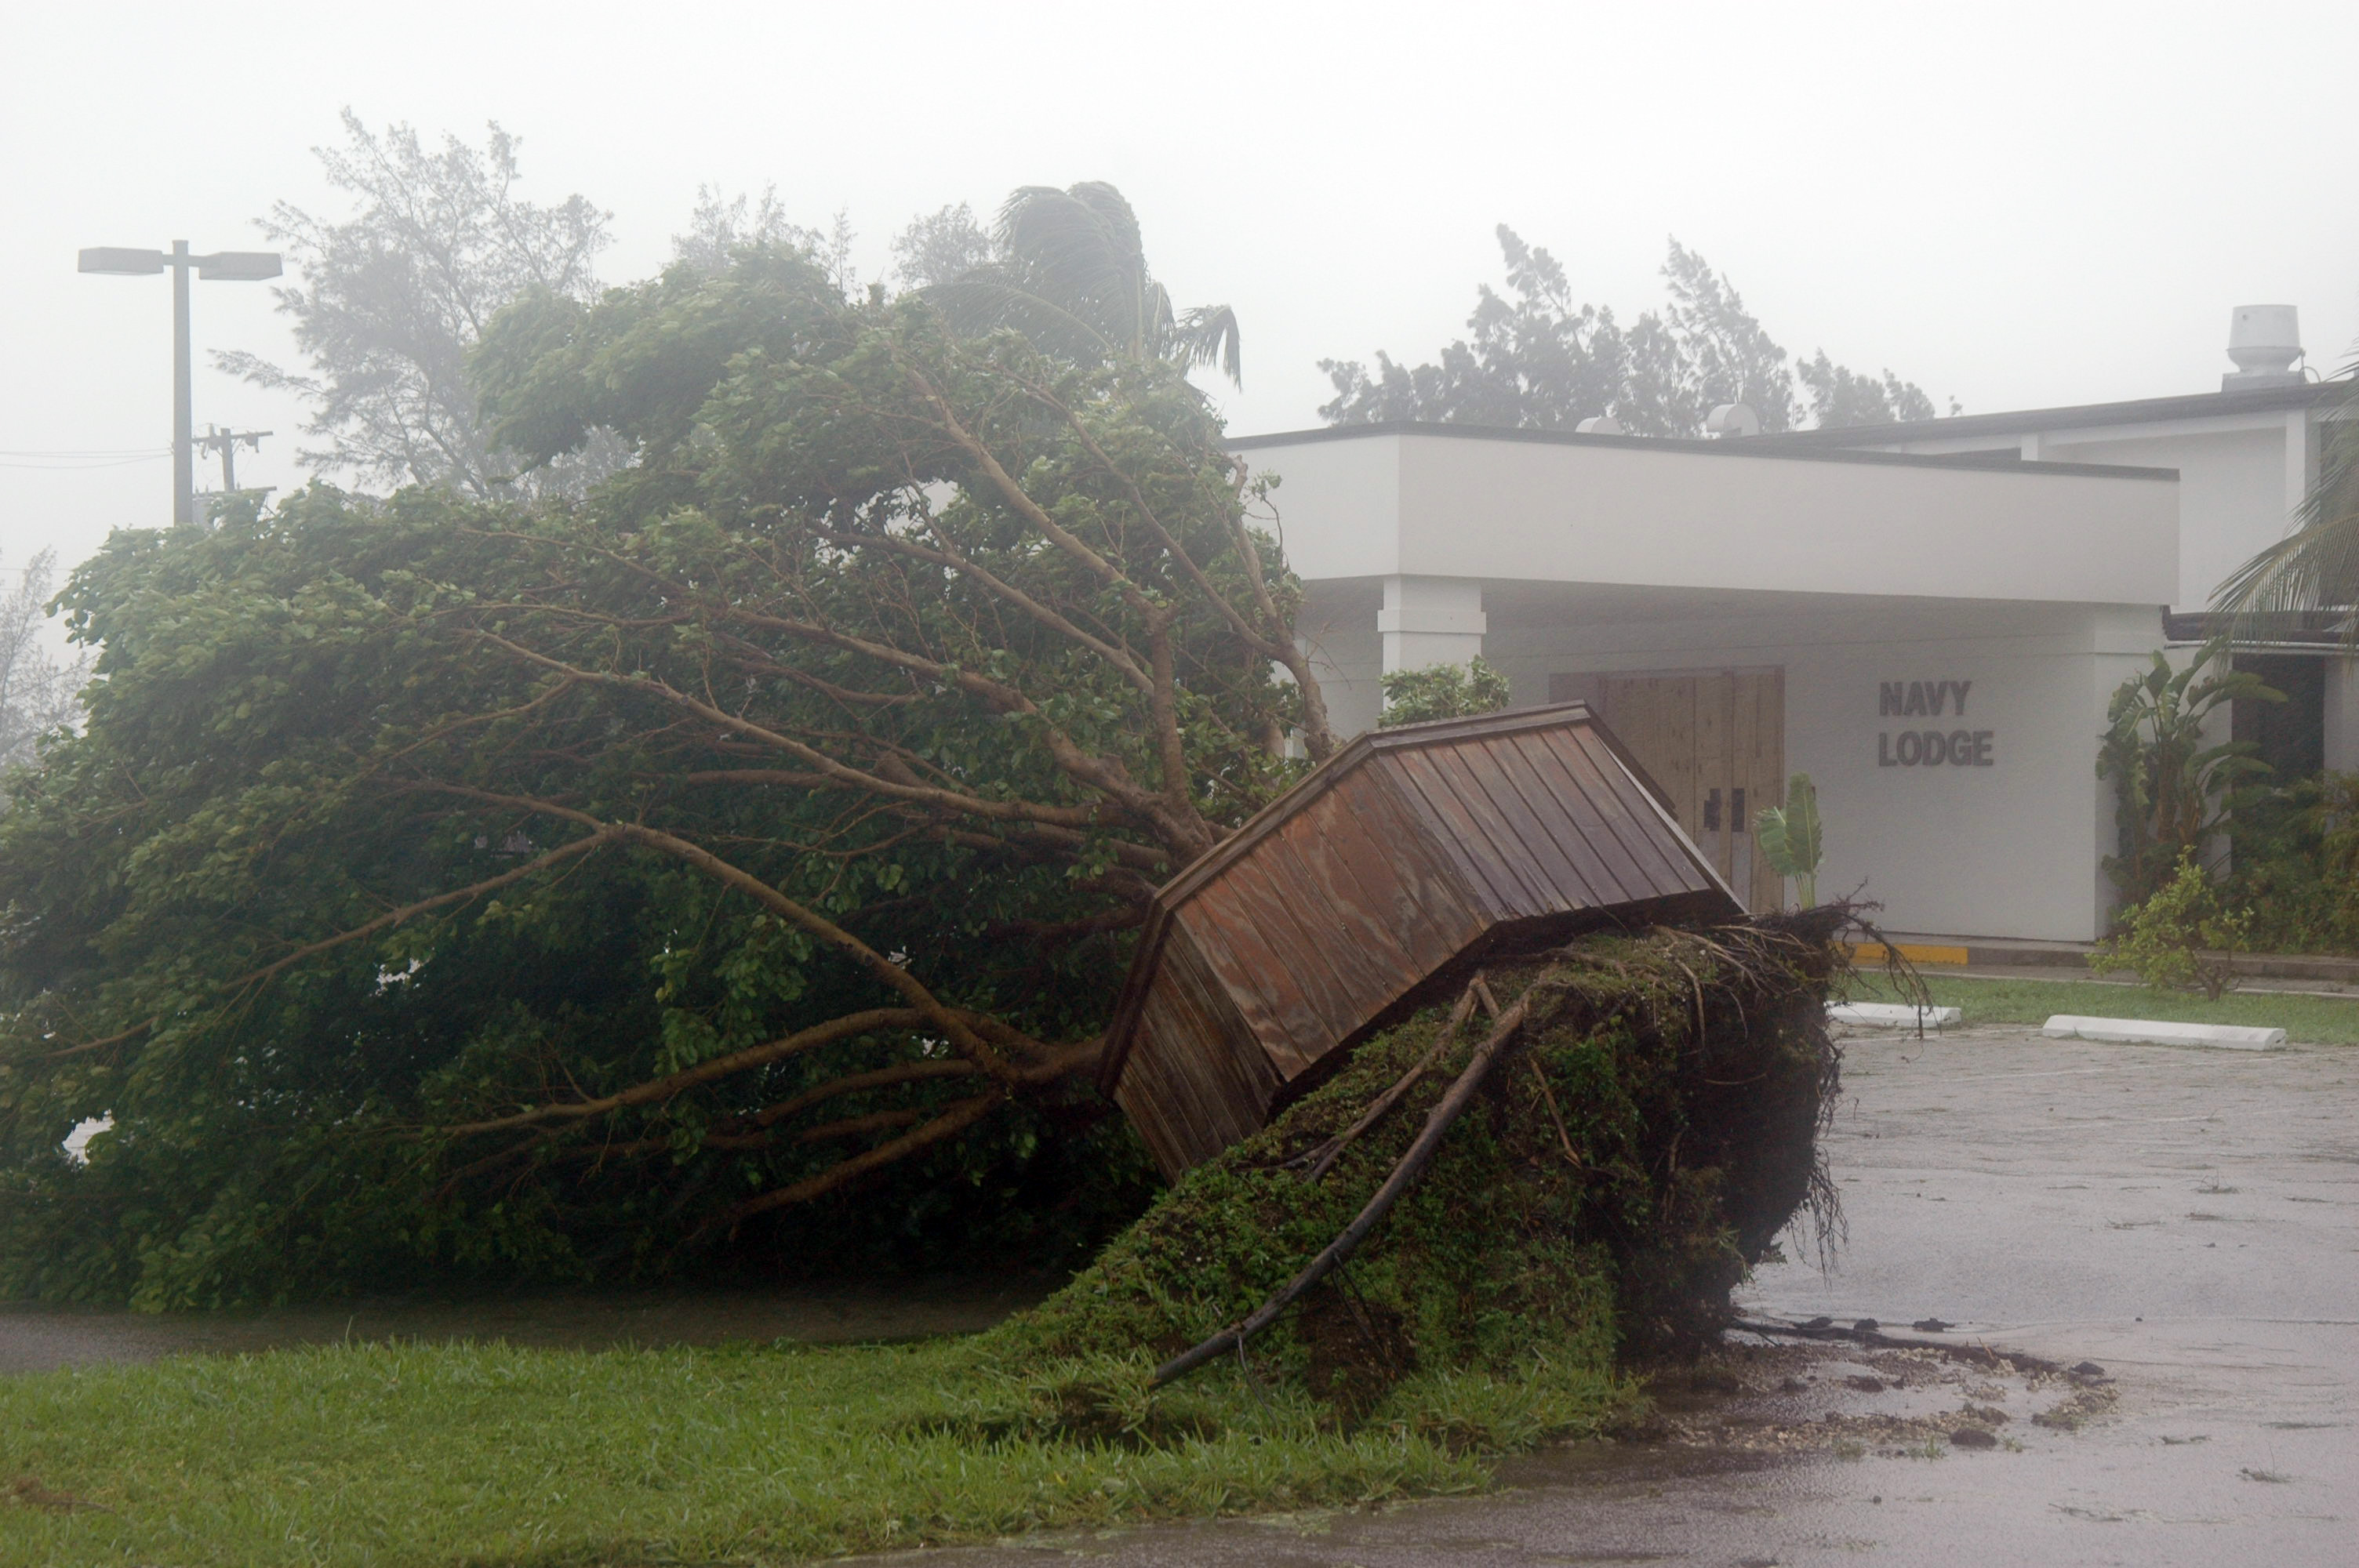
[459,885]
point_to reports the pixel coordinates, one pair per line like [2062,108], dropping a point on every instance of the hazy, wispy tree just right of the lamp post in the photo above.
[393,296]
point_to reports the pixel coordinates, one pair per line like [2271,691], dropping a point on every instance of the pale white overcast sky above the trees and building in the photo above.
[2013,206]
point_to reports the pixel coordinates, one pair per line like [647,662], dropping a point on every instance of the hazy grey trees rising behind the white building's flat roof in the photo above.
[1542,360]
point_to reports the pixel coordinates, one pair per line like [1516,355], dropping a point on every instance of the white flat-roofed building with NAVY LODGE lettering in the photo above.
[1926,619]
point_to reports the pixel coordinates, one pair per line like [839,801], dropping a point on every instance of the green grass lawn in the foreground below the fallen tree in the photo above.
[407,1454]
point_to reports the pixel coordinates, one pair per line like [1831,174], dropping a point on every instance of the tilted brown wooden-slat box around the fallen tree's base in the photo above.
[1402,859]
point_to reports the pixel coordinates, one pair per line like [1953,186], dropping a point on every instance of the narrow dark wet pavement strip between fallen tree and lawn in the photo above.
[37,1340]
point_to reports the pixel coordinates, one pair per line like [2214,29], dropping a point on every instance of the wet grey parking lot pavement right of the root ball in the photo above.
[2181,1223]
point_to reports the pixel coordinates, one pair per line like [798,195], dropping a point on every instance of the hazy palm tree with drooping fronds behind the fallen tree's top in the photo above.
[1072,275]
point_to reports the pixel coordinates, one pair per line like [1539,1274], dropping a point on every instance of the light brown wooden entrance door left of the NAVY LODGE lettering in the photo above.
[1716,742]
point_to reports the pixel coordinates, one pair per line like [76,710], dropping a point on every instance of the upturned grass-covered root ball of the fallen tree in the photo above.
[1641,1145]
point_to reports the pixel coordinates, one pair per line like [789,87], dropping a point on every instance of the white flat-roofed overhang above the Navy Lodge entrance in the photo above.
[1435,501]
